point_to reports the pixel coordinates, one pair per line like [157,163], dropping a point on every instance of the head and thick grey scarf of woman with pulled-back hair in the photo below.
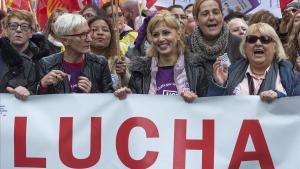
[212,38]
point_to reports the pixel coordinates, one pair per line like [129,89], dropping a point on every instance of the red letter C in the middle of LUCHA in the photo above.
[123,138]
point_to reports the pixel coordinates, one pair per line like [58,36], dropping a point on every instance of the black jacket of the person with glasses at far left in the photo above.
[17,70]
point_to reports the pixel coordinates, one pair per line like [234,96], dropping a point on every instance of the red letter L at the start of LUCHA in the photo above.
[20,147]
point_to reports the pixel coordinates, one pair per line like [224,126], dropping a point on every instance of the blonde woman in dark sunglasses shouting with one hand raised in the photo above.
[264,71]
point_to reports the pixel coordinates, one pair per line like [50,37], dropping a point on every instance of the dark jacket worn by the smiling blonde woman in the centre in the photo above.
[141,75]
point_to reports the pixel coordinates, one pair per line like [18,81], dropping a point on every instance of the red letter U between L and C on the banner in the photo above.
[66,144]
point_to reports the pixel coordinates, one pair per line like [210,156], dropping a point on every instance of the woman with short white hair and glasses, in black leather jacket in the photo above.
[75,70]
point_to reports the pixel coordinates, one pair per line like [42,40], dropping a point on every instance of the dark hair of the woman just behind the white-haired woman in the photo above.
[110,51]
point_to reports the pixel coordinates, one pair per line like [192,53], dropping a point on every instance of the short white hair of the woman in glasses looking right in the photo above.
[67,24]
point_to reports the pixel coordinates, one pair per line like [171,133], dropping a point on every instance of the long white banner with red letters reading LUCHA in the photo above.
[144,131]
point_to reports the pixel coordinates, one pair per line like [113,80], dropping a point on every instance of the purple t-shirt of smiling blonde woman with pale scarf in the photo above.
[165,81]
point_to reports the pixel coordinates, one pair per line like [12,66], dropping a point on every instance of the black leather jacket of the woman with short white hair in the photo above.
[95,69]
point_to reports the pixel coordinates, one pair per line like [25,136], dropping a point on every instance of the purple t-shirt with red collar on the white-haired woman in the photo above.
[73,70]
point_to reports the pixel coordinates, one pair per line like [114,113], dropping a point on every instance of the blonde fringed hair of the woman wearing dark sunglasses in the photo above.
[264,29]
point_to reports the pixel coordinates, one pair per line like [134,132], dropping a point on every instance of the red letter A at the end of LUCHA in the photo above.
[251,128]
